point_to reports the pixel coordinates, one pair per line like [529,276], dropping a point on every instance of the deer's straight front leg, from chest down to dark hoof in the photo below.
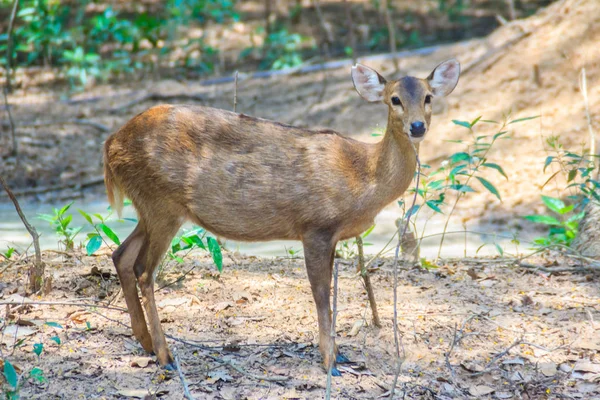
[318,255]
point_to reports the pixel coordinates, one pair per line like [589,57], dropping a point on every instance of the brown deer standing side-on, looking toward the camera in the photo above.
[251,179]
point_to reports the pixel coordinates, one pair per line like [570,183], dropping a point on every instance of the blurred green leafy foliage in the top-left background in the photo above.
[88,45]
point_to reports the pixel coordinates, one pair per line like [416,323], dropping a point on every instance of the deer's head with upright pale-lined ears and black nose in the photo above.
[408,98]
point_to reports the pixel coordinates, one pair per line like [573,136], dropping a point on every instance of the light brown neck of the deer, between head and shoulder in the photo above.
[395,162]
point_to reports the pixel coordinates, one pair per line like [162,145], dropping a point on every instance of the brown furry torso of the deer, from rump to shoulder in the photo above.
[240,177]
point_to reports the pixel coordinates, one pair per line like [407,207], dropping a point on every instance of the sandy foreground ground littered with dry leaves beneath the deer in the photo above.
[479,329]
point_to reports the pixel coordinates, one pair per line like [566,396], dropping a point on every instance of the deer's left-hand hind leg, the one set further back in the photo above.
[124,259]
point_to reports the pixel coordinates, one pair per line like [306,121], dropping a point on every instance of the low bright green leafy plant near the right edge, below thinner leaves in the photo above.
[563,228]
